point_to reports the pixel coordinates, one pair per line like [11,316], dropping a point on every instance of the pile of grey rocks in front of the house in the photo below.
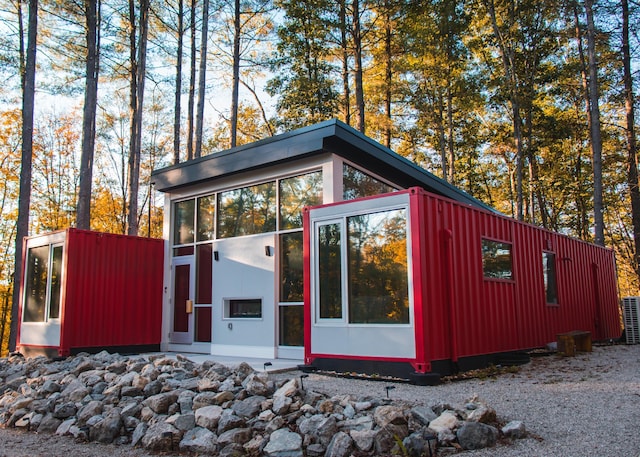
[163,403]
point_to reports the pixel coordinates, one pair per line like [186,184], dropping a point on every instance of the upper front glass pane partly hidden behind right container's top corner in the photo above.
[295,194]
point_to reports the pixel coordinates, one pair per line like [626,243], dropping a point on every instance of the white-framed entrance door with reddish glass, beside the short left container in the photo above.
[182,296]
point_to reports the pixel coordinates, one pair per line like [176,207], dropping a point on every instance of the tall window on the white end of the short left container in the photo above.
[43,283]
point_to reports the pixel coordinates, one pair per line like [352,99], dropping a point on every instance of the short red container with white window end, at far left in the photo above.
[110,295]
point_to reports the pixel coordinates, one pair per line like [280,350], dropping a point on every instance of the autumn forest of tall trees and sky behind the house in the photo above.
[527,105]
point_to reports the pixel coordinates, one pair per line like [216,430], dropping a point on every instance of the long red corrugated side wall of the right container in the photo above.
[485,316]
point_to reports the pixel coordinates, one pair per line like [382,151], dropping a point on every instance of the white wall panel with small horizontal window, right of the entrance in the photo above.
[244,296]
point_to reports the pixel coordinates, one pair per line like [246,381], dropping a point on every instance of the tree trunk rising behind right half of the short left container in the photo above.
[138,70]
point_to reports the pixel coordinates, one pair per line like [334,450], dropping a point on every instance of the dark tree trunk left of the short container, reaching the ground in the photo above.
[24,203]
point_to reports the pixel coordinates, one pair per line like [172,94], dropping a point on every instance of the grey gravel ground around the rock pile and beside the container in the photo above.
[582,406]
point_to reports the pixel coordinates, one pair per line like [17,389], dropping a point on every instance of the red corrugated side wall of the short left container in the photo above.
[113,290]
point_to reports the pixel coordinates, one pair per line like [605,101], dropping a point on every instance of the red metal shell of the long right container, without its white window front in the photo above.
[464,320]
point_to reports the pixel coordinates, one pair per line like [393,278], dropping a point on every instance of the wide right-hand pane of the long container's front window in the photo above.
[378,274]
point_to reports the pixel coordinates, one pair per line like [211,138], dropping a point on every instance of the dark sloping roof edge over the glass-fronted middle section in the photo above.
[329,136]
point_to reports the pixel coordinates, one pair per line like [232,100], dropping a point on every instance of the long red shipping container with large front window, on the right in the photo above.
[482,286]
